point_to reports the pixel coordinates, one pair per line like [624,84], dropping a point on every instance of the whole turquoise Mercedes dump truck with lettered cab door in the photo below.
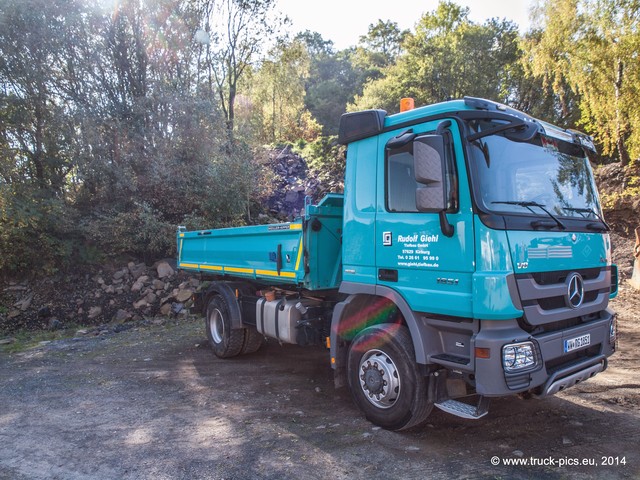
[467,259]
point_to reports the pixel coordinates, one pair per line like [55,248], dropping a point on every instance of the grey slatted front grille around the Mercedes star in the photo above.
[544,297]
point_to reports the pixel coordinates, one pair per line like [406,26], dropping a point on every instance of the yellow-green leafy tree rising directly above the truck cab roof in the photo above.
[448,56]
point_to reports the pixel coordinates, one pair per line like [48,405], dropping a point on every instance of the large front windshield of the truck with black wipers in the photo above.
[542,176]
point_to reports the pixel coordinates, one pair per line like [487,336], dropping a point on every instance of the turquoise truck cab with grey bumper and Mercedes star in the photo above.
[483,226]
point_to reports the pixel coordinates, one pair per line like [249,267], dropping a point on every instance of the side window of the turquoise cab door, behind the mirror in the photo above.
[401,182]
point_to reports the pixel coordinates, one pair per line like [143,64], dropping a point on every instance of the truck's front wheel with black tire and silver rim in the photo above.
[383,378]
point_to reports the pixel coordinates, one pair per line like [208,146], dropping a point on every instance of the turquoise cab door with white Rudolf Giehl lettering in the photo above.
[432,271]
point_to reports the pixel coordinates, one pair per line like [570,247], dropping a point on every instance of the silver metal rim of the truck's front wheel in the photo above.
[379,379]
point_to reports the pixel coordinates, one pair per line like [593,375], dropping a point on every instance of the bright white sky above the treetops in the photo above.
[344,21]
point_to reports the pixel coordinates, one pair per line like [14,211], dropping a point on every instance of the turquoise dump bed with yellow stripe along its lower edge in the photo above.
[305,253]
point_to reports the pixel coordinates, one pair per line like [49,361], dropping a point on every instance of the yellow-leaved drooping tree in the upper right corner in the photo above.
[592,46]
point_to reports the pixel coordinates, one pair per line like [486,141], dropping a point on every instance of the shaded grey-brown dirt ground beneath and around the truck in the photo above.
[154,403]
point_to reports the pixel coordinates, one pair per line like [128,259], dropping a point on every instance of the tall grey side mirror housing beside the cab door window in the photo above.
[429,168]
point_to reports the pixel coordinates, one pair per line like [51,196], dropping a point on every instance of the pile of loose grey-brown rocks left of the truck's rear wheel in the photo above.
[130,293]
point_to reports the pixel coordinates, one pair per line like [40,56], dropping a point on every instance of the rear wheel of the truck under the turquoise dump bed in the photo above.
[224,341]
